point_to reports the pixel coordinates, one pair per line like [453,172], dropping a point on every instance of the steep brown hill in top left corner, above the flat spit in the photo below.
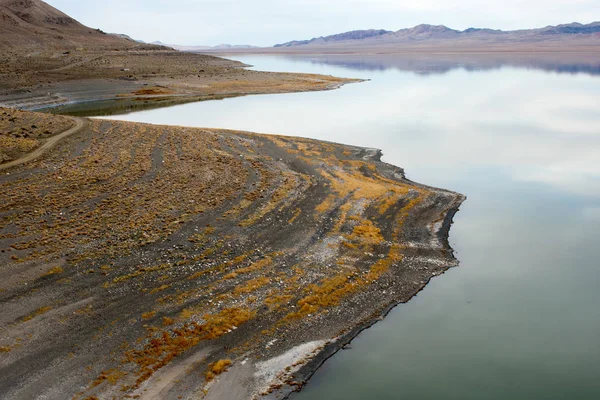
[34,24]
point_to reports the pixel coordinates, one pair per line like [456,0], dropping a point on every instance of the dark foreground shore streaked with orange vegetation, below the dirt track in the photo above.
[202,263]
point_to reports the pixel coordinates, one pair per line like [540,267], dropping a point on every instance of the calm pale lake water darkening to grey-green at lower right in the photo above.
[520,317]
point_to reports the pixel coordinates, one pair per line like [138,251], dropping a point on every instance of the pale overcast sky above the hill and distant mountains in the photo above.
[267,22]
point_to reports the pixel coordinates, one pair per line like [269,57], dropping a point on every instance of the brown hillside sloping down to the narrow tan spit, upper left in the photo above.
[49,59]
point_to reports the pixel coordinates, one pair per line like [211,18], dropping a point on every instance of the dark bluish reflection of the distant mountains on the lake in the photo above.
[568,63]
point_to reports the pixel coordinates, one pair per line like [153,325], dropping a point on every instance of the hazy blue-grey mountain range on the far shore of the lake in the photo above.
[440,35]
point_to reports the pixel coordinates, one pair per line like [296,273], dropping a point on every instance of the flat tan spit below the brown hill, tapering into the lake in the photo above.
[139,79]
